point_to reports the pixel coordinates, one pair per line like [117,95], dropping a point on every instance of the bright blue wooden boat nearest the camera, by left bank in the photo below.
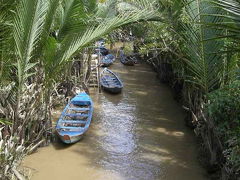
[75,118]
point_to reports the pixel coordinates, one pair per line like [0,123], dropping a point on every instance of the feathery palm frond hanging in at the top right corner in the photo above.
[229,10]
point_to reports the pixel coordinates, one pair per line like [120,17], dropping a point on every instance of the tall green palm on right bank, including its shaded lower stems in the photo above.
[206,60]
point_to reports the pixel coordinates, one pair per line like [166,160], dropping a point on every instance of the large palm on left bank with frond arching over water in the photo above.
[44,36]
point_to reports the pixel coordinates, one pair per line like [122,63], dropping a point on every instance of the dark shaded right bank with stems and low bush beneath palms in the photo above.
[214,127]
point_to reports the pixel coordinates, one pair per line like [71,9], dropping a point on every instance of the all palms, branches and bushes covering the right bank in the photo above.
[194,46]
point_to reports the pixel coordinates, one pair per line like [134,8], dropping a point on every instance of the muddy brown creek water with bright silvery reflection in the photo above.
[136,135]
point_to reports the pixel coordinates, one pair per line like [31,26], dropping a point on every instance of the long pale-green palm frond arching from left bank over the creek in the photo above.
[75,42]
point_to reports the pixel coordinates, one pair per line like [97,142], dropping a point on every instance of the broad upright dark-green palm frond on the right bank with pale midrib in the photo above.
[204,65]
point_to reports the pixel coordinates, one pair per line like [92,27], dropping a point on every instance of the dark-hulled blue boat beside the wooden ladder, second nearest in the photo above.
[110,81]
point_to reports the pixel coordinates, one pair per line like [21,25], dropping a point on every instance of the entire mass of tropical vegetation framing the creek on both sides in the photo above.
[192,44]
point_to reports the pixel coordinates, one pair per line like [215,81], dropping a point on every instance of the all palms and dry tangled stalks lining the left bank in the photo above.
[39,41]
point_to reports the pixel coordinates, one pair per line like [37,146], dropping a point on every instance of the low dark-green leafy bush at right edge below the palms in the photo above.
[224,109]
